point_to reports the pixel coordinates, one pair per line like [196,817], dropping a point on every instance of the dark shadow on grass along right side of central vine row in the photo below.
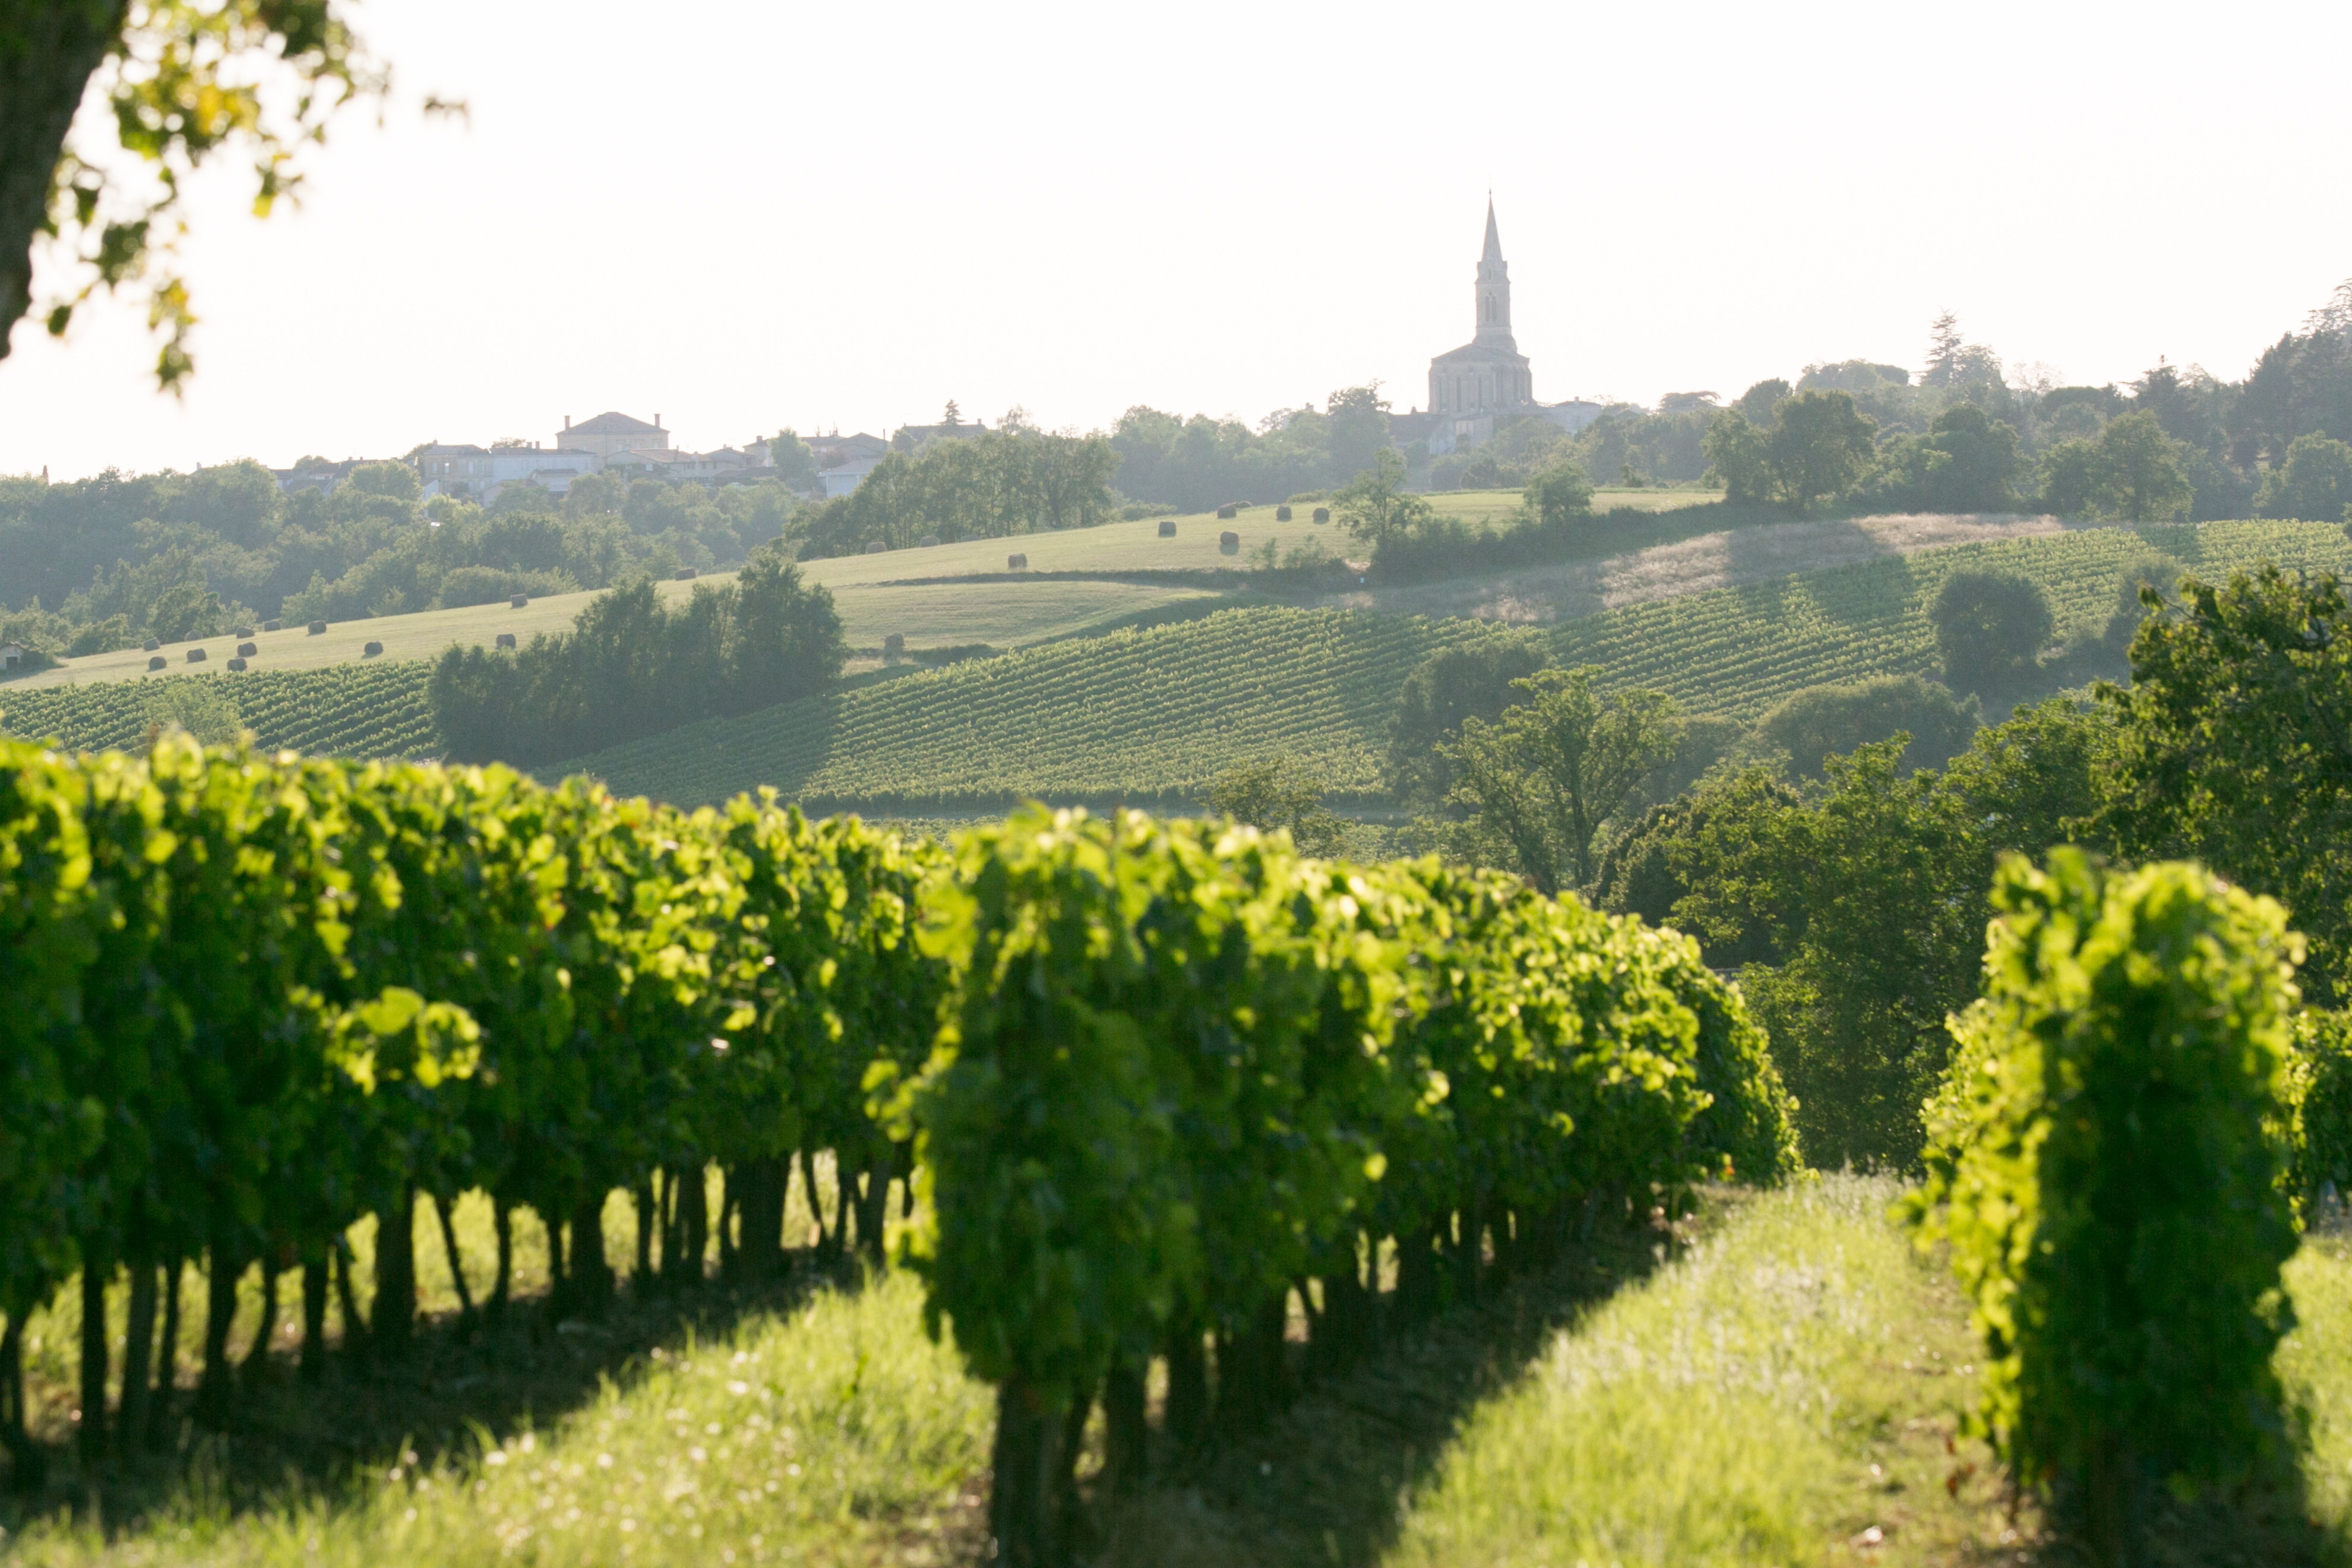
[1330,1480]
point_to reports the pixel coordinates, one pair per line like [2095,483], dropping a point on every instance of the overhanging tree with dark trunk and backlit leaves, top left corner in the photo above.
[185,83]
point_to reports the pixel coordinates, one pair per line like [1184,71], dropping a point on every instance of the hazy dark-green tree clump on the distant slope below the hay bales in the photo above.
[634,669]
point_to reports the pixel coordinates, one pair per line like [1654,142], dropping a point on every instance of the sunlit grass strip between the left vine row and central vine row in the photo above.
[831,1435]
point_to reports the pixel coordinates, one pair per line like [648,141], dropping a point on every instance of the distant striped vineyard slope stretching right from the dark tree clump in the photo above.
[1156,716]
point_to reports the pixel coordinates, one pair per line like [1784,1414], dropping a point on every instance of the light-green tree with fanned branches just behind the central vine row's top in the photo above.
[1558,765]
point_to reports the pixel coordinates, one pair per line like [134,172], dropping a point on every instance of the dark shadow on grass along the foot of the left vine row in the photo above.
[288,1440]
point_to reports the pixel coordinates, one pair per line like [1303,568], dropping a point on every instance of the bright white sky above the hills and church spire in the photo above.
[747,215]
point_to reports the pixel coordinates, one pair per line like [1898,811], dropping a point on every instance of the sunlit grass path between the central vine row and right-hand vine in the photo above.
[1772,1398]
